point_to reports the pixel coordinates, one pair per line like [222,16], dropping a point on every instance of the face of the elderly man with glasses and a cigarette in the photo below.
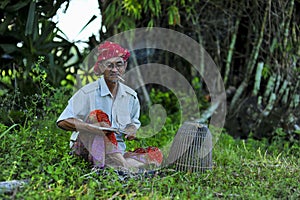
[114,67]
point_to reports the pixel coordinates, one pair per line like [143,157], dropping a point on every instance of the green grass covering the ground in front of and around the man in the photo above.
[242,170]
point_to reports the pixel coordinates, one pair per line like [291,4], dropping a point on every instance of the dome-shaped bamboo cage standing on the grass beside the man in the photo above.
[191,150]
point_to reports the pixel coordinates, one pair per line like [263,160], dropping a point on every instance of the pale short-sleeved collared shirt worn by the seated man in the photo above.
[122,110]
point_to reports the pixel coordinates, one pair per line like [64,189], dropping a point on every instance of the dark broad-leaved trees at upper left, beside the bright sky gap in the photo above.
[29,33]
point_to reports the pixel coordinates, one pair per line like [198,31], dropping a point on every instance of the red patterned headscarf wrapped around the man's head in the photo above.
[109,50]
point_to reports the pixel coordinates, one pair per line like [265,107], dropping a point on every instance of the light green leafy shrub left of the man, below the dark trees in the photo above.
[17,108]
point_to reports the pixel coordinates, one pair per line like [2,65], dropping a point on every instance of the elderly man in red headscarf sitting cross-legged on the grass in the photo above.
[107,103]
